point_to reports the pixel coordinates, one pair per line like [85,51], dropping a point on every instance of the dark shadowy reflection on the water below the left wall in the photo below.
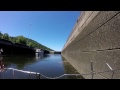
[18,61]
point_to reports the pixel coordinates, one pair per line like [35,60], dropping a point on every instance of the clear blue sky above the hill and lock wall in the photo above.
[50,28]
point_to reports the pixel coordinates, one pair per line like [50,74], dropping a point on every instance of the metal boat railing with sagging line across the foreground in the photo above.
[40,76]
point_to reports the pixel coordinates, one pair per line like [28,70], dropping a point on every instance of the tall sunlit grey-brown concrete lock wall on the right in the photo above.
[95,37]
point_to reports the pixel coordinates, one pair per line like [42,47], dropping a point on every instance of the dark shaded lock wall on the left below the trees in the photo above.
[10,48]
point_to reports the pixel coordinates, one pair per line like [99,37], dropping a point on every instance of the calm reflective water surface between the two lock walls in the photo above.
[50,65]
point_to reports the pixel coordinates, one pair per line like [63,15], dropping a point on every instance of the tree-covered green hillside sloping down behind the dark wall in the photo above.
[23,40]
